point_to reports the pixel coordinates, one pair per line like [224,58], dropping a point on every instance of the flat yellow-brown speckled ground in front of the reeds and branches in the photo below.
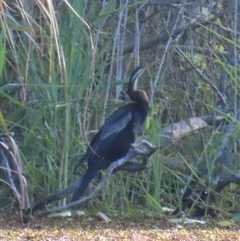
[90,228]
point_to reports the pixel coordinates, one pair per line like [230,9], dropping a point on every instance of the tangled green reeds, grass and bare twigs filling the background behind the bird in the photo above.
[64,66]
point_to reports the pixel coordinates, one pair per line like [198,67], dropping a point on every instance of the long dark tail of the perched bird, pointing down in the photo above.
[86,179]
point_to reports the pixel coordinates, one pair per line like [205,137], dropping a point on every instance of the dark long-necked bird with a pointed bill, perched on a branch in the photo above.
[115,137]
